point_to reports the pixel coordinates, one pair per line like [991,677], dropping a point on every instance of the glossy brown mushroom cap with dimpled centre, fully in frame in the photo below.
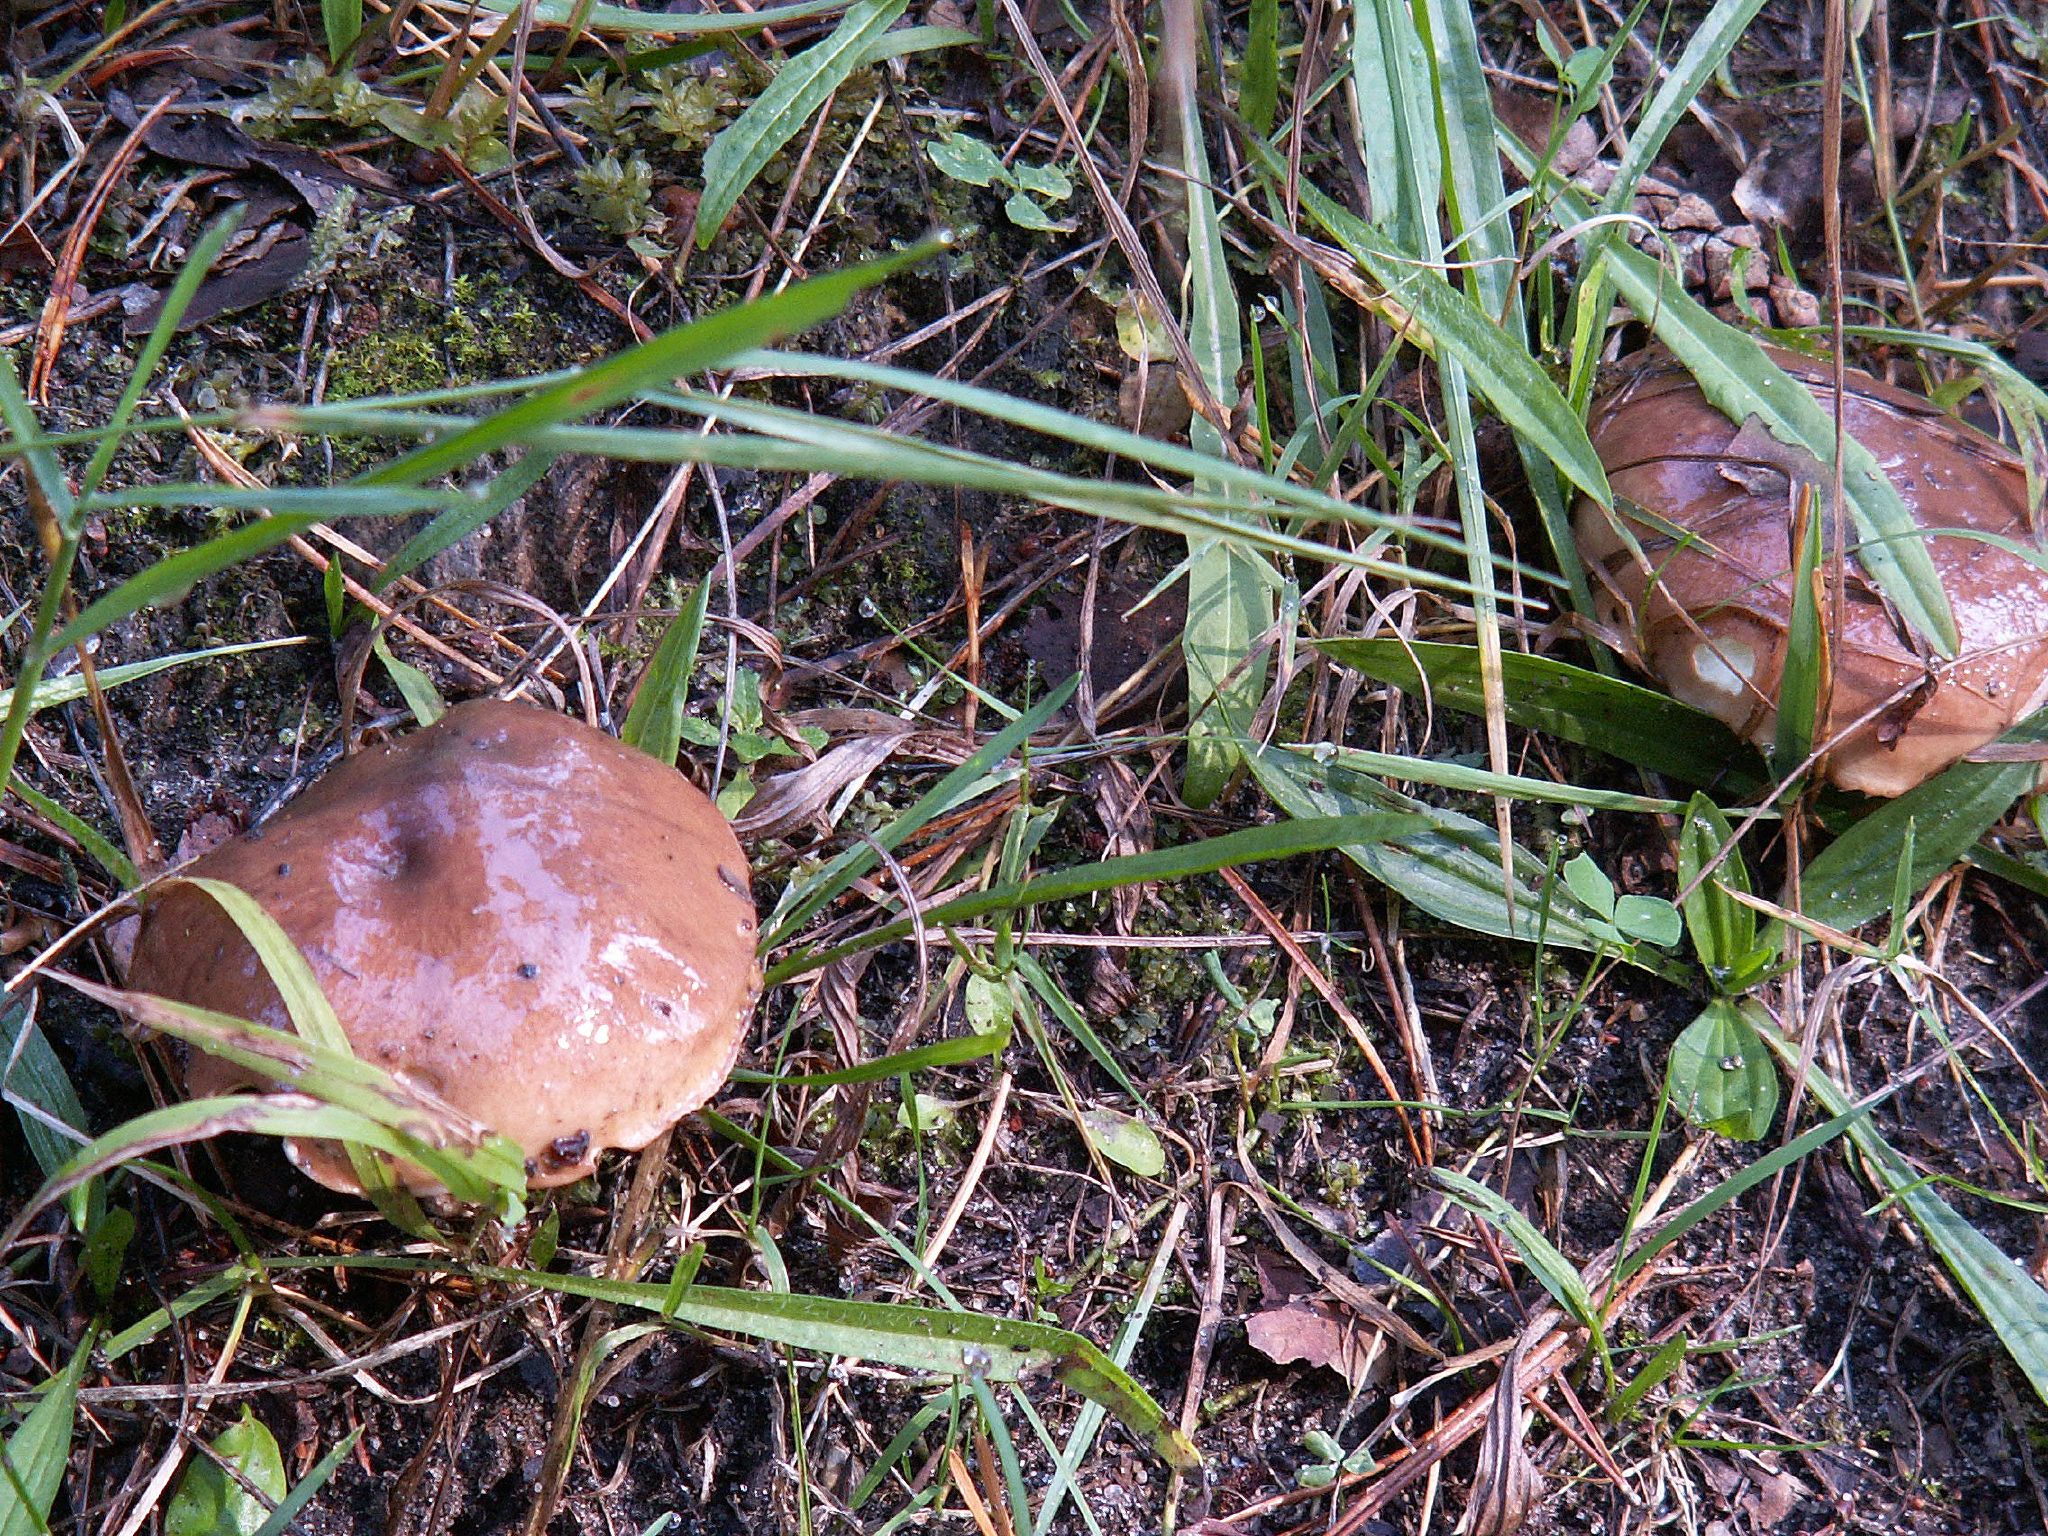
[544,927]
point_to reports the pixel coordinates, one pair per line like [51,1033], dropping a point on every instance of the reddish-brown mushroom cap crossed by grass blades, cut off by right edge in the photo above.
[1711,617]
